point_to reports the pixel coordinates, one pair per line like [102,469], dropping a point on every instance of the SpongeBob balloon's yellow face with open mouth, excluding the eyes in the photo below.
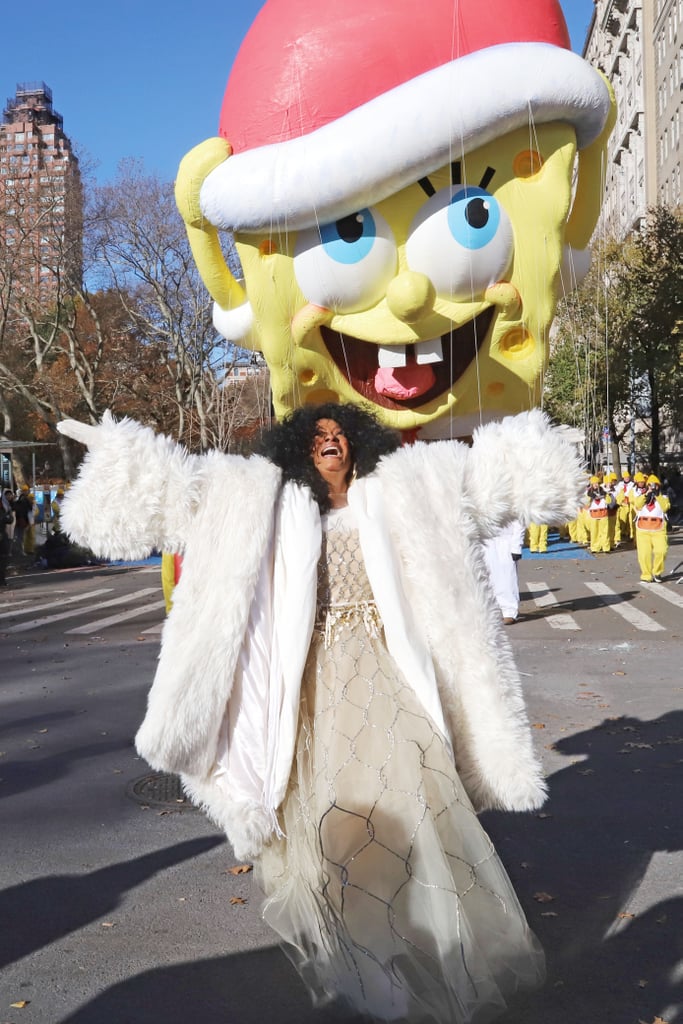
[318,354]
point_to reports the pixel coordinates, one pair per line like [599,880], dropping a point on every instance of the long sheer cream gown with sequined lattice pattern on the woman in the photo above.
[386,891]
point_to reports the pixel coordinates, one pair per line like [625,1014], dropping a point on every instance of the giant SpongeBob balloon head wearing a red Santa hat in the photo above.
[410,187]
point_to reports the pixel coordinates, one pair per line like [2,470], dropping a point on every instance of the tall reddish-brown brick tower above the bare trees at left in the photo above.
[41,196]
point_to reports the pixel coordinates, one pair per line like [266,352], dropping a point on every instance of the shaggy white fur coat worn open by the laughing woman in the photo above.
[138,492]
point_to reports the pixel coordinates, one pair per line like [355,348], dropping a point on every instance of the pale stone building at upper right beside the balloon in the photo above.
[637,46]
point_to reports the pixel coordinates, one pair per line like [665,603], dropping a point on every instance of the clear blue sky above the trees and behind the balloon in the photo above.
[140,78]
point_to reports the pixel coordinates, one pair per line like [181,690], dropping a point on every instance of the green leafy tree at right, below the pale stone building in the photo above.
[617,352]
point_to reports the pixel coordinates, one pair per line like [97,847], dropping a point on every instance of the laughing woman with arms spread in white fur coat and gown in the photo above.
[335,690]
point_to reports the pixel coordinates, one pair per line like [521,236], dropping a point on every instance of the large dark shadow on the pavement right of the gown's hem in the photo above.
[589,849]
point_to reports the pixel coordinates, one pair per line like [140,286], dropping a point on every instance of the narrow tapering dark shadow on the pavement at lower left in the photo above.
[46,910]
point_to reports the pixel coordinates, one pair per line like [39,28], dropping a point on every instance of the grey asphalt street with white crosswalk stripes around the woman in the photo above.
[118,905]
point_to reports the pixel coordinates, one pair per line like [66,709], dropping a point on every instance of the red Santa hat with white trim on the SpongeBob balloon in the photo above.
[333,107]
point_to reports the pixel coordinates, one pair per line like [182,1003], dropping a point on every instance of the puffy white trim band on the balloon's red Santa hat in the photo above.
[402,136]
